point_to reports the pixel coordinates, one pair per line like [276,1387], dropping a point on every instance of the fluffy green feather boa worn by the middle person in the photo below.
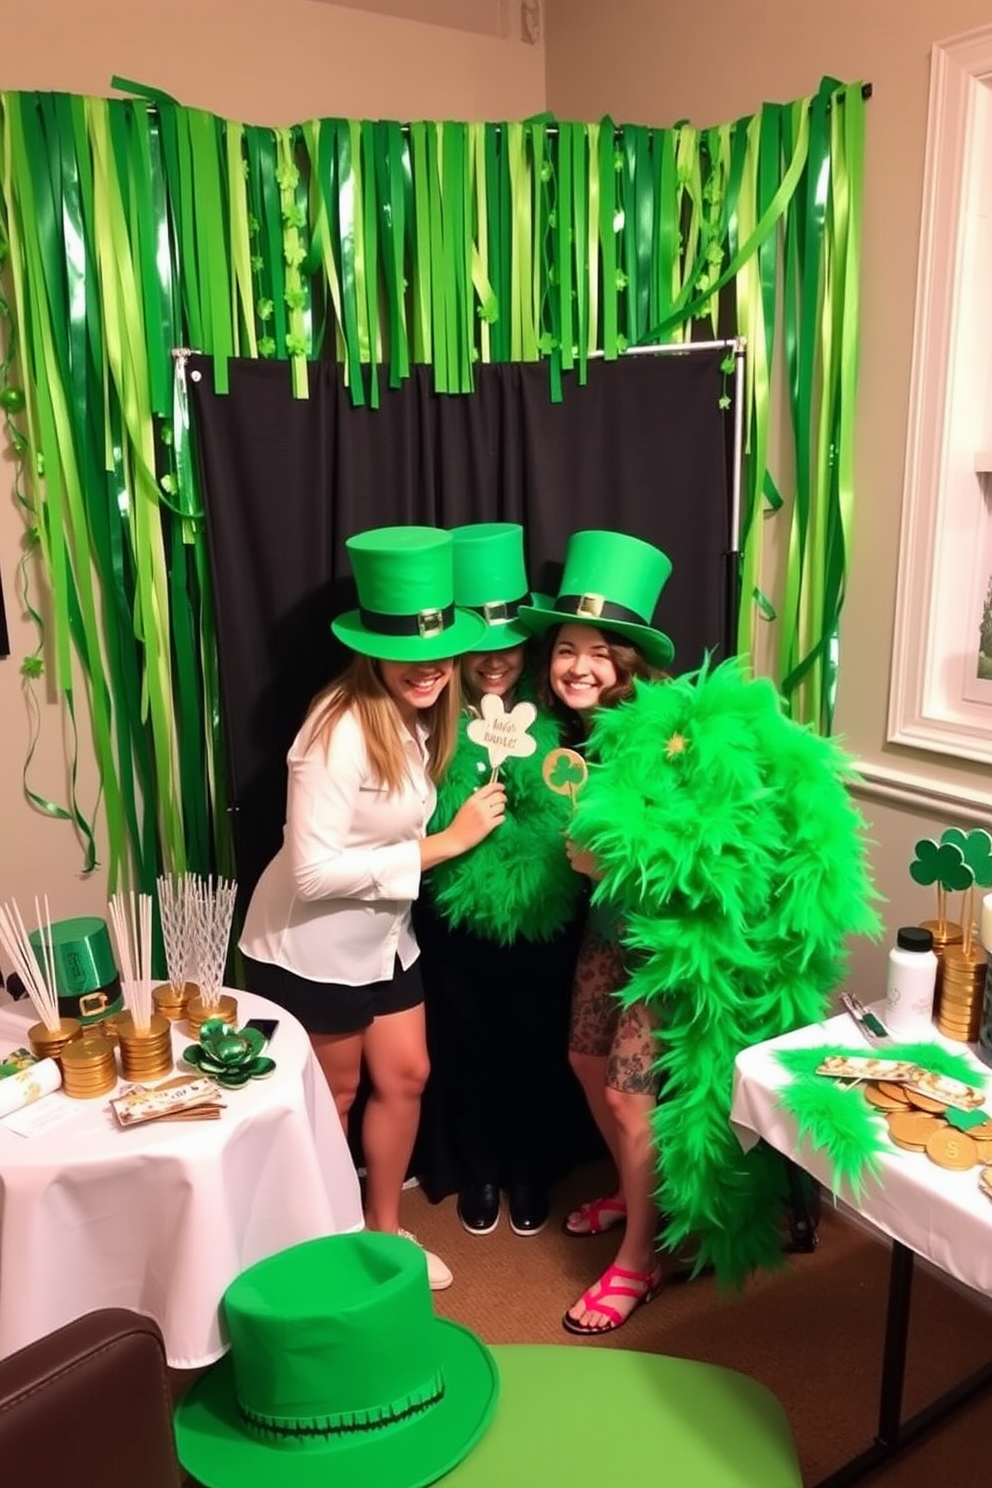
[517,883]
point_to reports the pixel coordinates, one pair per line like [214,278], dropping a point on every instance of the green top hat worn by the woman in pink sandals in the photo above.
[613,583]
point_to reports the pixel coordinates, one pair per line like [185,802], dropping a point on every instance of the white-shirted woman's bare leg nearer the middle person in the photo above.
[396,1056]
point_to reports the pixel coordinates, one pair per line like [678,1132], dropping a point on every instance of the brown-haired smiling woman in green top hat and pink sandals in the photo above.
[600,645]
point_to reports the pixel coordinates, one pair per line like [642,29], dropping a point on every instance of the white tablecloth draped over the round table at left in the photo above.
[163,1218]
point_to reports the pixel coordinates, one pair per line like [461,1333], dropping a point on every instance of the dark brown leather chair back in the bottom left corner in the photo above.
[90,1405]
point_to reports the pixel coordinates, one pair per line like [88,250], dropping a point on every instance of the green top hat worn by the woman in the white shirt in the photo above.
[407,597]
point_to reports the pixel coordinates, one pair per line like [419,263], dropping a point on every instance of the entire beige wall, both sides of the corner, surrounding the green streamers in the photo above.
[637,60]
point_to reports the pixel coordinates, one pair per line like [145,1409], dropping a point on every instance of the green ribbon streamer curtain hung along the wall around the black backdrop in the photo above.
[135,228]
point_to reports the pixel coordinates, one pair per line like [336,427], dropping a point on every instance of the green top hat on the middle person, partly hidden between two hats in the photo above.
[492,580]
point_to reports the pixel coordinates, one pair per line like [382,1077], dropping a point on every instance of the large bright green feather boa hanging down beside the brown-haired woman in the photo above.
[731,844]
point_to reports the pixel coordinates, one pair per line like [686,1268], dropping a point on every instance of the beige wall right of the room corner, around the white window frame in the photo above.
[649,63]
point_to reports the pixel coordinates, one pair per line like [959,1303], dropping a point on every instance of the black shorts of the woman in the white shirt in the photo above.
[332,1007]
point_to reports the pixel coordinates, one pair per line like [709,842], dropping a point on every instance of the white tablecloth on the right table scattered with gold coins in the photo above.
[941,1215]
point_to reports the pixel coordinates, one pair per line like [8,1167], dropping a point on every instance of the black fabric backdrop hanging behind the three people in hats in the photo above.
[643,449]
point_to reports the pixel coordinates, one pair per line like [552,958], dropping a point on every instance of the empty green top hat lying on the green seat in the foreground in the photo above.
[340,1374]
